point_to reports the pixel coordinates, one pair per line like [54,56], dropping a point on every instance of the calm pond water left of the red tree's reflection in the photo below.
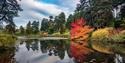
[37,51]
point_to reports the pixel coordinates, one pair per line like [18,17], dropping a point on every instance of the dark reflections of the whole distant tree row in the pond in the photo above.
[52,47]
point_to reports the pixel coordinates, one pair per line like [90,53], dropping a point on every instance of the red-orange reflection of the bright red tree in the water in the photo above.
[79,52]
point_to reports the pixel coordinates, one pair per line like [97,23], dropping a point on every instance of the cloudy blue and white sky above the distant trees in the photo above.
[38,9]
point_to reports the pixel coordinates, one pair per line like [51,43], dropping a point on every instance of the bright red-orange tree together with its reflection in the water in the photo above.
[79,39]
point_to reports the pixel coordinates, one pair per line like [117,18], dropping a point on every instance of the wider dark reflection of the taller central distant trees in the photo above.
[54,47]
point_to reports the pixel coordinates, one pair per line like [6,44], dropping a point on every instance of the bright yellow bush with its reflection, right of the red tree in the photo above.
[100,39]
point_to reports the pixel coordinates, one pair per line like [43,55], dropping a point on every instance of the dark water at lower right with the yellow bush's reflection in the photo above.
[108,52]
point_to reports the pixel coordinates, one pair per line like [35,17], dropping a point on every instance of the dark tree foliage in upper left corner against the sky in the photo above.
[8,10]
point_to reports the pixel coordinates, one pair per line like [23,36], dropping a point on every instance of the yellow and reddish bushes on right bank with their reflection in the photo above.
[107,40]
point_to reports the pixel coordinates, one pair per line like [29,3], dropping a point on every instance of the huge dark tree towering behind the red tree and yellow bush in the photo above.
[98,13]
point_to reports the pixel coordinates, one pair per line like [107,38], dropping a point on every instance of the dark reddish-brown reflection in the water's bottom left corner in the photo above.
[7,54]
